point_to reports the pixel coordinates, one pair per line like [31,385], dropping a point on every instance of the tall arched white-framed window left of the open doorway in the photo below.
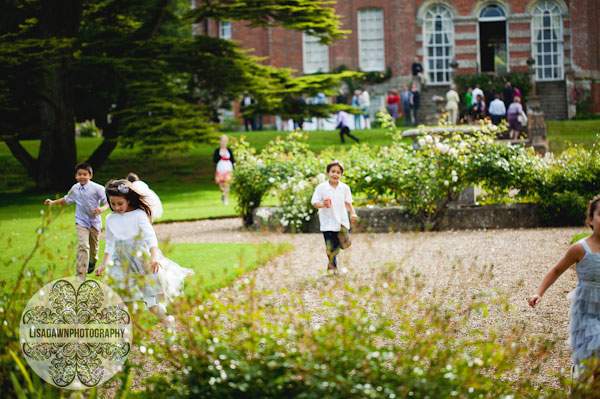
[430,41]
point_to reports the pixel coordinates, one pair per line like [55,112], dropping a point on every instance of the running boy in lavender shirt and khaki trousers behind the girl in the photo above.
[87,196]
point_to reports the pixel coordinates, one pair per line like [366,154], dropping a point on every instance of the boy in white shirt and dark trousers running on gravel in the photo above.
[333,199]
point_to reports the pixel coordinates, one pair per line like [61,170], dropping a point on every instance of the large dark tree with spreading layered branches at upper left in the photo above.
[135,67]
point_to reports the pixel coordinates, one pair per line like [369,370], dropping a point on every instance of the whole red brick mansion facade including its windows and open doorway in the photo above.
[485,36]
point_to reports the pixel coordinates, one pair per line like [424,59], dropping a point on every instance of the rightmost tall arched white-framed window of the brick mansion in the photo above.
[549,65]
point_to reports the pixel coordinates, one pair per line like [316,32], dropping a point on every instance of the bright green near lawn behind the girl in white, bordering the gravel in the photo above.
[215,264]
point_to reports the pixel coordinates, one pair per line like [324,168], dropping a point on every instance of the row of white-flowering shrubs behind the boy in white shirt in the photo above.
[422,181]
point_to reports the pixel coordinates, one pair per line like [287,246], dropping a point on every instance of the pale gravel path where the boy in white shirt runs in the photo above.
[450,265]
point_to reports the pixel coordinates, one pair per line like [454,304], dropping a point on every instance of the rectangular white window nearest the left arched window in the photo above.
[371,42]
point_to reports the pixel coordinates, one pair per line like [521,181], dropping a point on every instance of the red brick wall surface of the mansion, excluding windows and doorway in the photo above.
[581,37]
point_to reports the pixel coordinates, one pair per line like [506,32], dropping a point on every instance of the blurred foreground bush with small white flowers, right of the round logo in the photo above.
[373,339]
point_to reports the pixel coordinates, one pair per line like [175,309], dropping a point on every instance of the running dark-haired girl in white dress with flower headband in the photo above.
[133,255]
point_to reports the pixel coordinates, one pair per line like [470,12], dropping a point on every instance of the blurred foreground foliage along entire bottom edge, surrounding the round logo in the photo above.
[384,337]
